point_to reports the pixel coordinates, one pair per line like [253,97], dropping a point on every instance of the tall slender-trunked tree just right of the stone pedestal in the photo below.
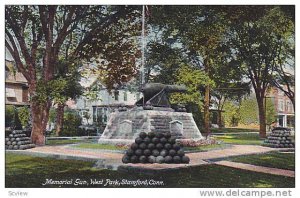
[200,29]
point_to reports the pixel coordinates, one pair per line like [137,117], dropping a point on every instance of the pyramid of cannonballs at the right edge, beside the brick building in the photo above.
[280,138]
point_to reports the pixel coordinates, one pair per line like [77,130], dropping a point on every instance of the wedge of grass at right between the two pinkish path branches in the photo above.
[271,159]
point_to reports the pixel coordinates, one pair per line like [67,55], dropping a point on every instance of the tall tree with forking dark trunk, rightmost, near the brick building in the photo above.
[257,41]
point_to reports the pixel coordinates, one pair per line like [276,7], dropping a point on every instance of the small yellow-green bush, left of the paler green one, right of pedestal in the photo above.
[230,114]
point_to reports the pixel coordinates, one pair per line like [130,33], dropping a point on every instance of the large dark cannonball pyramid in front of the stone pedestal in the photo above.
[155,148]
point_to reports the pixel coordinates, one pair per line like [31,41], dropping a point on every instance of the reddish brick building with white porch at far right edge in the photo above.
[284,108]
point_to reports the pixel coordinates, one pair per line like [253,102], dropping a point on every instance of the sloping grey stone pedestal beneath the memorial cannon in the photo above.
[124,126]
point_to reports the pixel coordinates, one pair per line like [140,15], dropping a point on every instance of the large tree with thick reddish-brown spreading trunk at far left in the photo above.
[34,36]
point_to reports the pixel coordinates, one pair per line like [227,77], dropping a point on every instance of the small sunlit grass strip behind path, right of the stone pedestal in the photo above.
[246,138]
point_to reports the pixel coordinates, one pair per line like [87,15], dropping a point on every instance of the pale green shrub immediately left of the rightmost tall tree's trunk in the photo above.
[248,111]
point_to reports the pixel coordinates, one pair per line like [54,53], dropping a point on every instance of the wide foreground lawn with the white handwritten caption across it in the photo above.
[27,171]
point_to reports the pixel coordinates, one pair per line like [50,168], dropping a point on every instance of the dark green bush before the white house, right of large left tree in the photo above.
[72,121]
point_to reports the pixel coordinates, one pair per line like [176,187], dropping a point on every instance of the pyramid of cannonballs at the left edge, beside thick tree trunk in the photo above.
[17,140]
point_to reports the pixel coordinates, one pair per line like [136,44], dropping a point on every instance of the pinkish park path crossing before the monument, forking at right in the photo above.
[112,159]
